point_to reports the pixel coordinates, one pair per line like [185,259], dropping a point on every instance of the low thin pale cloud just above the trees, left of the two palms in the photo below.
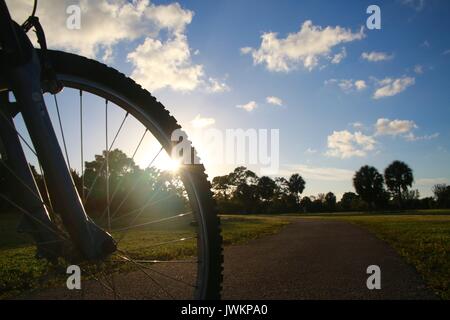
[318,173]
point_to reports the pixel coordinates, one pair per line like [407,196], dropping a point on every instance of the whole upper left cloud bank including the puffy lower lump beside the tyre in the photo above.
[162,58]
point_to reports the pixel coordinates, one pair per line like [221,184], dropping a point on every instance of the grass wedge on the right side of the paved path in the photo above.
[423,240]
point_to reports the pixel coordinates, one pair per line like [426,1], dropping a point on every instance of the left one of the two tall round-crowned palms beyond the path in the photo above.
[368,183]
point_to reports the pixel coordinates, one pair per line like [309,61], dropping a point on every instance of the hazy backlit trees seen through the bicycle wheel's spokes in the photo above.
[130,188]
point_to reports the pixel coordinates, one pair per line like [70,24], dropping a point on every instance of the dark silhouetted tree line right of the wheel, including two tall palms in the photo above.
[242,191]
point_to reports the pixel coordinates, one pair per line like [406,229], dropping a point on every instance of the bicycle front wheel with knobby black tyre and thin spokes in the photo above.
[161,214]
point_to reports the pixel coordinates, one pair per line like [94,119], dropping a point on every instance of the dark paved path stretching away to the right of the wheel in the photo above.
[318,259]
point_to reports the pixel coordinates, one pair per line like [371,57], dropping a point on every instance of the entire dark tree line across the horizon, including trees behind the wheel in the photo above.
[240,191]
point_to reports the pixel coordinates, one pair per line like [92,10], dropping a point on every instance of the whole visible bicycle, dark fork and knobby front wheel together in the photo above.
[86,223]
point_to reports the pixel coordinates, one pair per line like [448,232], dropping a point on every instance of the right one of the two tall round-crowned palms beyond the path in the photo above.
[398,176]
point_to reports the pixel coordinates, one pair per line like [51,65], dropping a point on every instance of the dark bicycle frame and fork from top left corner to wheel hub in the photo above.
[22,72]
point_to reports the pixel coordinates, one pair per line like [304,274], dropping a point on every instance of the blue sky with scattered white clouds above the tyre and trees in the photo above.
[349,96]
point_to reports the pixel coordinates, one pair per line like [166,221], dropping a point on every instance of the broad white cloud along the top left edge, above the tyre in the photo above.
[103,23]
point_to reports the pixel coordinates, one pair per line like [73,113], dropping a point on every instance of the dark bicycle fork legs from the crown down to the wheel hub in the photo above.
[91,240]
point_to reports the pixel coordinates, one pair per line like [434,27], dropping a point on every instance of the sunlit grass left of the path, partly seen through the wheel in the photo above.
[21,272]
